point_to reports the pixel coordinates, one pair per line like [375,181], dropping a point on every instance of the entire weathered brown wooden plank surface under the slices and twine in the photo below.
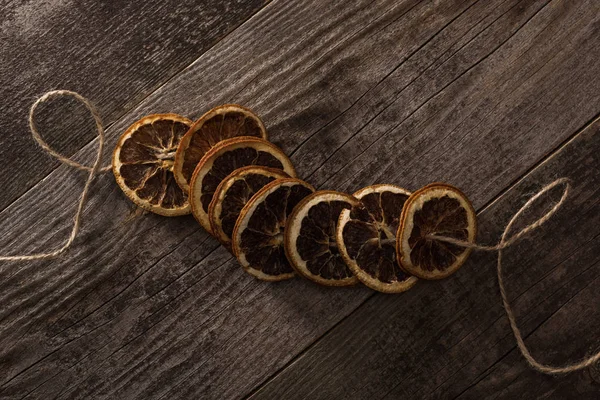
[497,97]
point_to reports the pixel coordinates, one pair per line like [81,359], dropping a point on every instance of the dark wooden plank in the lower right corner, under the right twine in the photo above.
[451,339]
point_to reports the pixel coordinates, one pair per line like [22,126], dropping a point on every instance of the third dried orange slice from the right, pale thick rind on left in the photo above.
[310,243]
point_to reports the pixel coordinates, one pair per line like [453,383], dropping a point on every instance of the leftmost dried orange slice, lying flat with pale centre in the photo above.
[143,164]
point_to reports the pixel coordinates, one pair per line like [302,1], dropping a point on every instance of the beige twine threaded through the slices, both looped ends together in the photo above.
[96,169]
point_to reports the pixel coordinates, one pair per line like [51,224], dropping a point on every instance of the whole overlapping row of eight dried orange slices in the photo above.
[243,190]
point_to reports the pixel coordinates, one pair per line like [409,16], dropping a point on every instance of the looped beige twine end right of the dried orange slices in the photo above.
[506,241]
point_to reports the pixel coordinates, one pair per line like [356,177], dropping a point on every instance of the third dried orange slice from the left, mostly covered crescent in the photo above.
[225,158]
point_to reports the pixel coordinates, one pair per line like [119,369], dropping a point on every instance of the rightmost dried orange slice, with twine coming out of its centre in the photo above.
[435,210]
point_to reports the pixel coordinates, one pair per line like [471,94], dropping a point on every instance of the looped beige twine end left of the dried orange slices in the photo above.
[94,170]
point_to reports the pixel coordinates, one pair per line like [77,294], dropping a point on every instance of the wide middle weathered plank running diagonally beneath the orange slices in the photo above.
[146,308]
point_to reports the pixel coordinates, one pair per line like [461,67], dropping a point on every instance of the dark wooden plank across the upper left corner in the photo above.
[114,52]
